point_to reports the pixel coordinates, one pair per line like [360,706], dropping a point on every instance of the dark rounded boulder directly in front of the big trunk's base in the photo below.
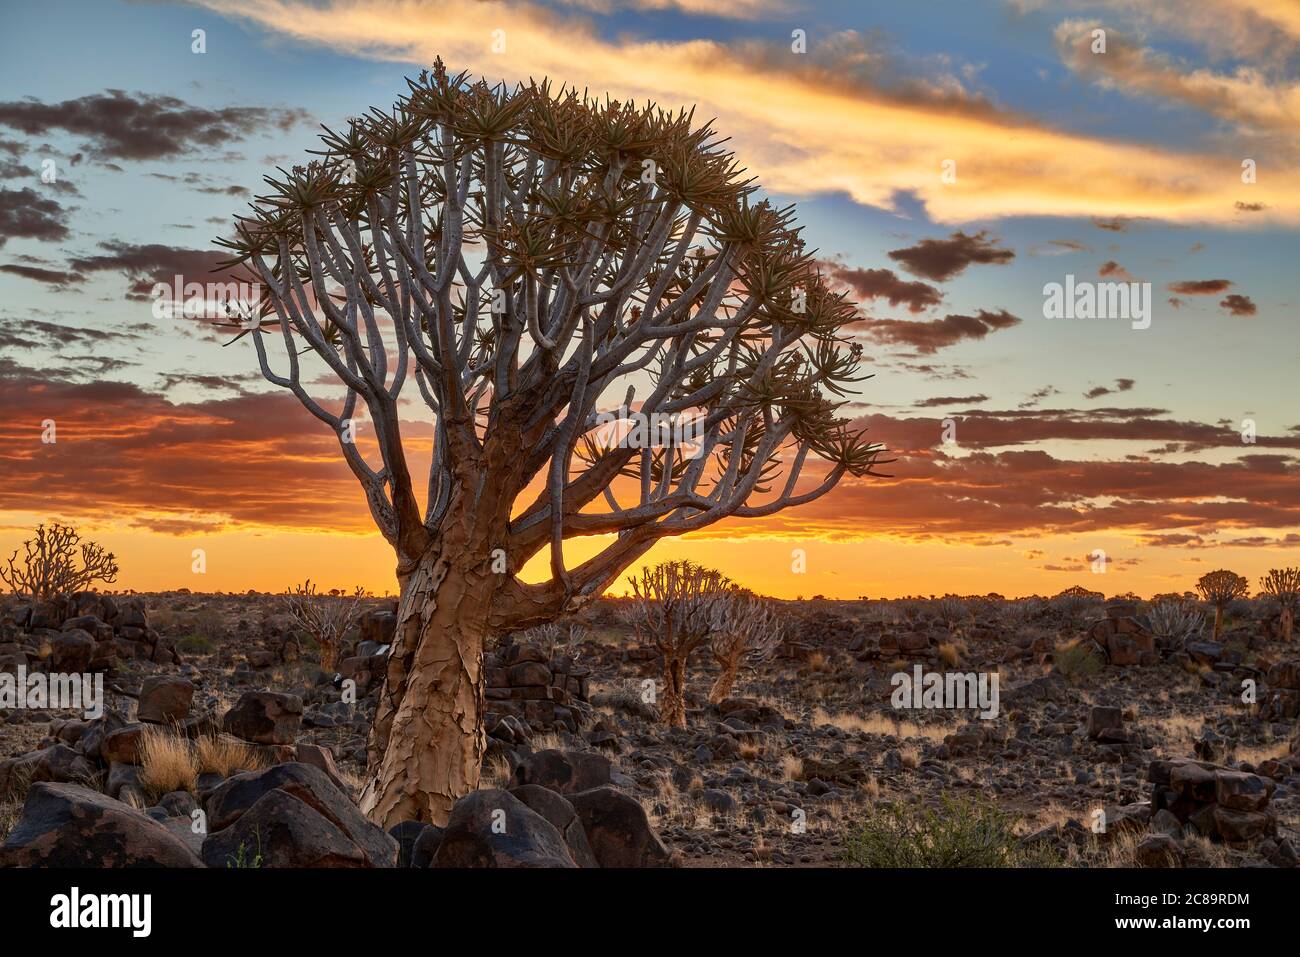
[495,829]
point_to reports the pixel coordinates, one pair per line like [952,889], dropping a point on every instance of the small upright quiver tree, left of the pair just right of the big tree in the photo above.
[679,607]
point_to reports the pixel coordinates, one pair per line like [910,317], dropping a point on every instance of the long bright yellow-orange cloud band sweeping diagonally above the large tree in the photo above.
[805,124]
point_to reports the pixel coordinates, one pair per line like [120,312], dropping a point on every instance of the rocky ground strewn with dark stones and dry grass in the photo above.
[227,746]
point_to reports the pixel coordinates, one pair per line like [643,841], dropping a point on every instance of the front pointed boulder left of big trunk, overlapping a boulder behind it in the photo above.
[283,832]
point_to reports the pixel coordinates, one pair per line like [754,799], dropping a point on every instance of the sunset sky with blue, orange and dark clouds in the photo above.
[948,162]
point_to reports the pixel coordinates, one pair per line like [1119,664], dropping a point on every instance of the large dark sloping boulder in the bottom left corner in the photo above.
[71,826]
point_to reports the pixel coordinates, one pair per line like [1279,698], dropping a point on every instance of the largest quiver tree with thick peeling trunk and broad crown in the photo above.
[531,259]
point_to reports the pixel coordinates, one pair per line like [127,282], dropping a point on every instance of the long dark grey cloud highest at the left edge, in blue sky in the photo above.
[144,127]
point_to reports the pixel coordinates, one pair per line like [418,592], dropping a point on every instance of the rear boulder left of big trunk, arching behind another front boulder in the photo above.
[313,787]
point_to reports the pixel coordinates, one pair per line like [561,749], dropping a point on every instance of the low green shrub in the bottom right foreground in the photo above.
[963,833]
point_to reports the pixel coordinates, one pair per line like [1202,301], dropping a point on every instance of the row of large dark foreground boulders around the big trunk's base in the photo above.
[564,809]
